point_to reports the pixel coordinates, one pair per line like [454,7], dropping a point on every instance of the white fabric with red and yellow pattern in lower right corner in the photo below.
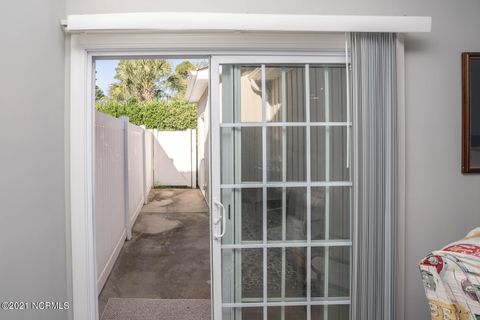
[451,277]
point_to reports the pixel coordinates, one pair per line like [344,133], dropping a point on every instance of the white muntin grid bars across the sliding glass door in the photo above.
[236,247]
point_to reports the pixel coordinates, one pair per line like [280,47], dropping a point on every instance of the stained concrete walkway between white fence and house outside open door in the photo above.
[169,254]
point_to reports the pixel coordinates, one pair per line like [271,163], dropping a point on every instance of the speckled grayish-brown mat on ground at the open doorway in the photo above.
[156,309]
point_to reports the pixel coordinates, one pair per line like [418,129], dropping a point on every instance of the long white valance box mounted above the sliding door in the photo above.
[205,21]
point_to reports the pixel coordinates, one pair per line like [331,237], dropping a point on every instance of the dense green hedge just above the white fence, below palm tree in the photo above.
[172,114]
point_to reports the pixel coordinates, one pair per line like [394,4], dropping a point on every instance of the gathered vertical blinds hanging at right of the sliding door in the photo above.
[375,102]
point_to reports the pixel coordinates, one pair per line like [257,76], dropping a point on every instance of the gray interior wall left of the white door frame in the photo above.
[32,204]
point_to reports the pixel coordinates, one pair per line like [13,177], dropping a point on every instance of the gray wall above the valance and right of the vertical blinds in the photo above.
[442,205]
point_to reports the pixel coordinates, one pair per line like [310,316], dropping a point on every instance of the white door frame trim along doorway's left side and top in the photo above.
[83,49]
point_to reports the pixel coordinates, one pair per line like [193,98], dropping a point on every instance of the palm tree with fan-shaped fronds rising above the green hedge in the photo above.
[140,79]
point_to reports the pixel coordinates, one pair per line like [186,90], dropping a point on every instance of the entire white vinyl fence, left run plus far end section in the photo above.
[129,161]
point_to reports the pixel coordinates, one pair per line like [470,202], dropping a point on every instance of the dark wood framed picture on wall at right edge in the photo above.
[471,112]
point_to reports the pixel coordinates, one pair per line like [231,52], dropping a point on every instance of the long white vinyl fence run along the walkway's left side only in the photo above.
[123,178]
